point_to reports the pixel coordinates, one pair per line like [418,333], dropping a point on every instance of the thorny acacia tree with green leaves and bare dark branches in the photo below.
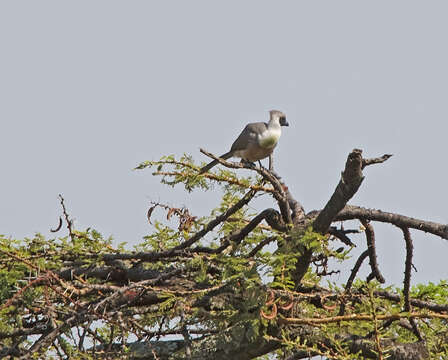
[236,284]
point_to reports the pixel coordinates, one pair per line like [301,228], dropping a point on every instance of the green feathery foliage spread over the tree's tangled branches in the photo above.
[223,294]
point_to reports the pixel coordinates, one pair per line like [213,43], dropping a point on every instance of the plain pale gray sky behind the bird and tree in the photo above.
[89,89]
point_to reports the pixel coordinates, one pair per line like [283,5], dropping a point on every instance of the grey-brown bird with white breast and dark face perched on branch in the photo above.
[256,142]
